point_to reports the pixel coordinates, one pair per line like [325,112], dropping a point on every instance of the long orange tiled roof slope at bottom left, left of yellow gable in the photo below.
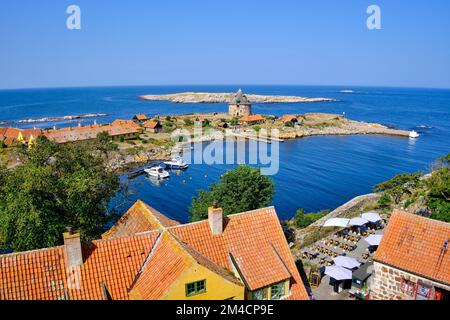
[43,274]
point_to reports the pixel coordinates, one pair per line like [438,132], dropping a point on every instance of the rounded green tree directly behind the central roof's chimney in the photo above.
[241,189]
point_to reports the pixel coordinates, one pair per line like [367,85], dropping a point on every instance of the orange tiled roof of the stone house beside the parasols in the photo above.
[415,244]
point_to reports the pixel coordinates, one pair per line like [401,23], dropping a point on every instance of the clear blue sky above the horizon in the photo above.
[320,42]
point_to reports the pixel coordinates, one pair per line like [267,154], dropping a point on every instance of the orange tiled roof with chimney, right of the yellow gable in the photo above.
[255,241]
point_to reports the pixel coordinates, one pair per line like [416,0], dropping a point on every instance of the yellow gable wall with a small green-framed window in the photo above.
[217,288]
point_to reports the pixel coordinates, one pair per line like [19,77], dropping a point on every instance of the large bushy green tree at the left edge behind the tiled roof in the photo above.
[56,186]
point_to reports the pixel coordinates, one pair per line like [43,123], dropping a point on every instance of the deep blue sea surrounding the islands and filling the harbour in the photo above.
[315,173]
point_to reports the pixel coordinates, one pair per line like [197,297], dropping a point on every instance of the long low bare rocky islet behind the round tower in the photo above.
[204,97]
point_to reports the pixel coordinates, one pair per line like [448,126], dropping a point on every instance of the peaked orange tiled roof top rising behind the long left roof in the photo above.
[139,218]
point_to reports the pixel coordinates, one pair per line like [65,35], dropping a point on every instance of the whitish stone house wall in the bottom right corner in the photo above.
[387,283]
